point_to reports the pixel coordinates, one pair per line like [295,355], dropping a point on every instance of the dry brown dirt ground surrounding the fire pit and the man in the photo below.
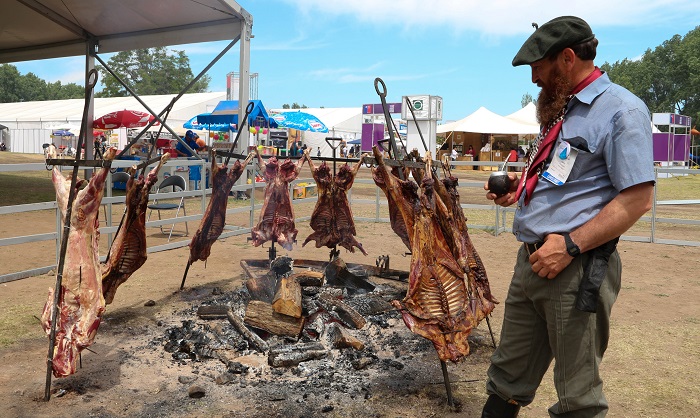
[650,368]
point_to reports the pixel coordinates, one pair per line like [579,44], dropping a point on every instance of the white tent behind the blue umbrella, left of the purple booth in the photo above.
[342,122]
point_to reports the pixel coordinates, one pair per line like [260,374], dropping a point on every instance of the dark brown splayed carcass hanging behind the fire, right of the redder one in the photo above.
[332,219]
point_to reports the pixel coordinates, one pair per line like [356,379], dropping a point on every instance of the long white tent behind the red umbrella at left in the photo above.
[30,123]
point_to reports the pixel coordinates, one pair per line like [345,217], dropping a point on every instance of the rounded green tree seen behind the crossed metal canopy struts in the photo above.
[150,71]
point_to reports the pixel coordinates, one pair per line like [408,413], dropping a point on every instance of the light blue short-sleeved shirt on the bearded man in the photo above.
[611,128]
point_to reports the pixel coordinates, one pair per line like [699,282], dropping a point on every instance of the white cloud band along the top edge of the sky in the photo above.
[500,17]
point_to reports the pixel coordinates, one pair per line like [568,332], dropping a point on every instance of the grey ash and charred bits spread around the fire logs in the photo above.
[390,359]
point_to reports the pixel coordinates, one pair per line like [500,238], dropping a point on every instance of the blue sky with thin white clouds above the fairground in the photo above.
[327,53]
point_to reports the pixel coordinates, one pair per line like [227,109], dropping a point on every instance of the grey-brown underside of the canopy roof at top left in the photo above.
[39,29]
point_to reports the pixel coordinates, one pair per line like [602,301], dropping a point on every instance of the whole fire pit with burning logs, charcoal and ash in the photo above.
[348,343]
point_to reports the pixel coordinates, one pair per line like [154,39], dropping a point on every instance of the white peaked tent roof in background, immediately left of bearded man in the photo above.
[486,122]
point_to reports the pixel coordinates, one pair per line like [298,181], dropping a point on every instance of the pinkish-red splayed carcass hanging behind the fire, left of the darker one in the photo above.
[277,215]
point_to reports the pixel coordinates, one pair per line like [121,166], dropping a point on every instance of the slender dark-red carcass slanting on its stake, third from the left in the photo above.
[214,219]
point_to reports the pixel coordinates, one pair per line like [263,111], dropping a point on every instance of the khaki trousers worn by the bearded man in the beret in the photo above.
[540,324]
